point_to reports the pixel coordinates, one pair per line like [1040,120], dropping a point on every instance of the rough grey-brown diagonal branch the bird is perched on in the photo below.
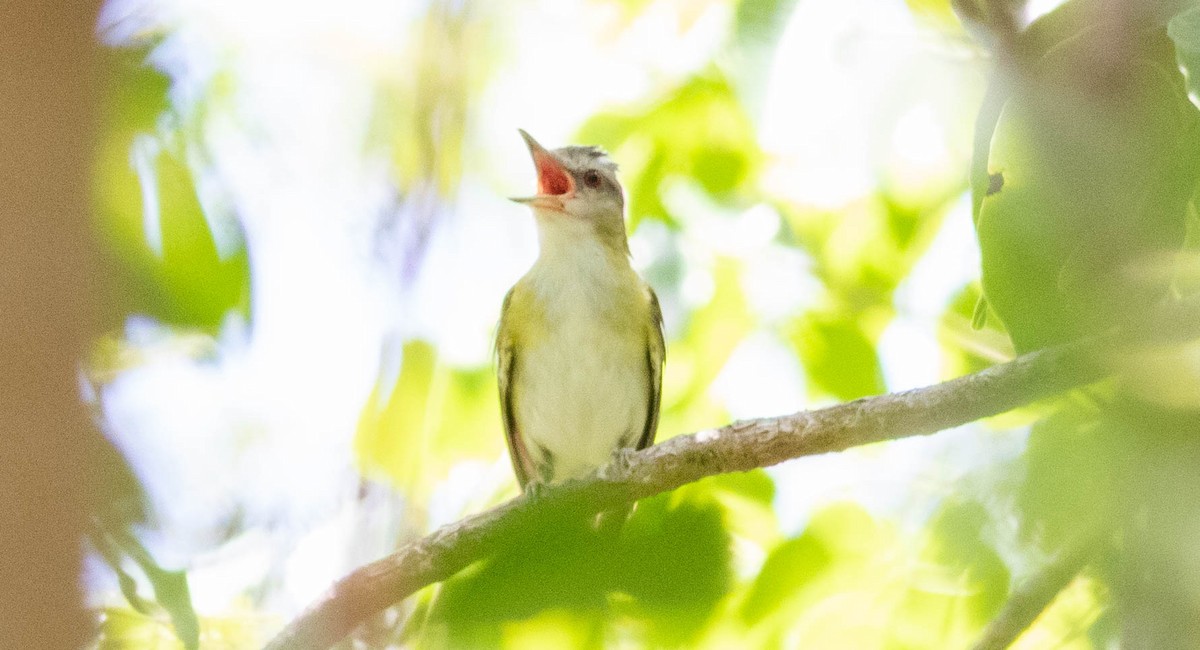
[740,447]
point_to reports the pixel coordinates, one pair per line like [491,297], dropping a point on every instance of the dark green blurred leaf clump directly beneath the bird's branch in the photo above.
[669,570]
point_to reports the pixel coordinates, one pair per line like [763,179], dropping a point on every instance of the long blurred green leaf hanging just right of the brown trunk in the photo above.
[165,257]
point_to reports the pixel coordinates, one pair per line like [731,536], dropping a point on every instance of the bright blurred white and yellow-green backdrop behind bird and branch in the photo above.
[304,239]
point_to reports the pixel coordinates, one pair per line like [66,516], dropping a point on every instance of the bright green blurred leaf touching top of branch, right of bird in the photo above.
[838,356]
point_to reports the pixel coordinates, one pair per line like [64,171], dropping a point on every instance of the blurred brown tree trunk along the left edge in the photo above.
[46,304]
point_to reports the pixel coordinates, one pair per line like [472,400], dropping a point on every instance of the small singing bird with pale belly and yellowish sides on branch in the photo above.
[580,345]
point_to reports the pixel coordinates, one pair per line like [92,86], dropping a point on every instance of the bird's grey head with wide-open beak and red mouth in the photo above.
[578,191]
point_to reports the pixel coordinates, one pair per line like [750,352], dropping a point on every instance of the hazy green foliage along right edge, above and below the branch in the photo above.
[1093,174]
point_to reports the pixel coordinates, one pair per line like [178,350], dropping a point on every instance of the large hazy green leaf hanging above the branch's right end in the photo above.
[1094,167]
